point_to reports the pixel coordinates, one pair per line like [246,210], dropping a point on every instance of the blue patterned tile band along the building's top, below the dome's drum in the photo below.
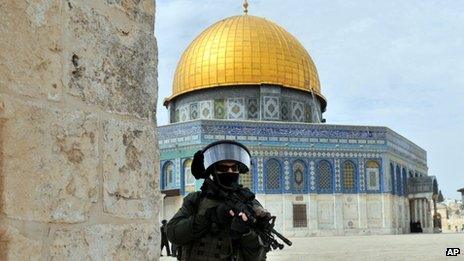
[312,139]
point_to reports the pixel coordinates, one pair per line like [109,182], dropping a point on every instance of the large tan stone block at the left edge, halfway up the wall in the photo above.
[50,158]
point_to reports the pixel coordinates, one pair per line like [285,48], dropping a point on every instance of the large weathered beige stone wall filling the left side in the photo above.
[78,146]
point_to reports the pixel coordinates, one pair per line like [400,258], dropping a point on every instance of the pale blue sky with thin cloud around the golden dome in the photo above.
[395,63]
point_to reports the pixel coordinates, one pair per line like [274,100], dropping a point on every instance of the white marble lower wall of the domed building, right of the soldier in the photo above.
[339,214]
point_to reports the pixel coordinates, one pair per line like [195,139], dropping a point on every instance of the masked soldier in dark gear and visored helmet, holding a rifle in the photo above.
[205,227]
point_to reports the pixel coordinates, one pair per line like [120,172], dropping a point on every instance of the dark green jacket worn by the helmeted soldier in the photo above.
[203,241]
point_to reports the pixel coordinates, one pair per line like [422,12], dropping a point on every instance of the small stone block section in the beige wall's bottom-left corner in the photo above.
[14,246]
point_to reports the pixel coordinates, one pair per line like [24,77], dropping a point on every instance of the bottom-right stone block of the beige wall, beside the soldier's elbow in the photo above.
[107,242]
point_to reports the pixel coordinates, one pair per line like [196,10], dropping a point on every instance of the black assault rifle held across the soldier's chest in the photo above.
[241,199]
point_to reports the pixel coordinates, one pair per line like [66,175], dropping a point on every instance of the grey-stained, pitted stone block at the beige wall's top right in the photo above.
[112,62]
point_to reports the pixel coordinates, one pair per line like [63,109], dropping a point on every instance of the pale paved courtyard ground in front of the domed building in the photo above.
[388,247]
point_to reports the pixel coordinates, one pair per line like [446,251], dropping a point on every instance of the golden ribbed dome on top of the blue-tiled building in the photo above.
[245,50]
